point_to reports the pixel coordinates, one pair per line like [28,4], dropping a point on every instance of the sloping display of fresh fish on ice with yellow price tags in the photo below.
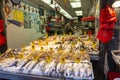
[55,56]
